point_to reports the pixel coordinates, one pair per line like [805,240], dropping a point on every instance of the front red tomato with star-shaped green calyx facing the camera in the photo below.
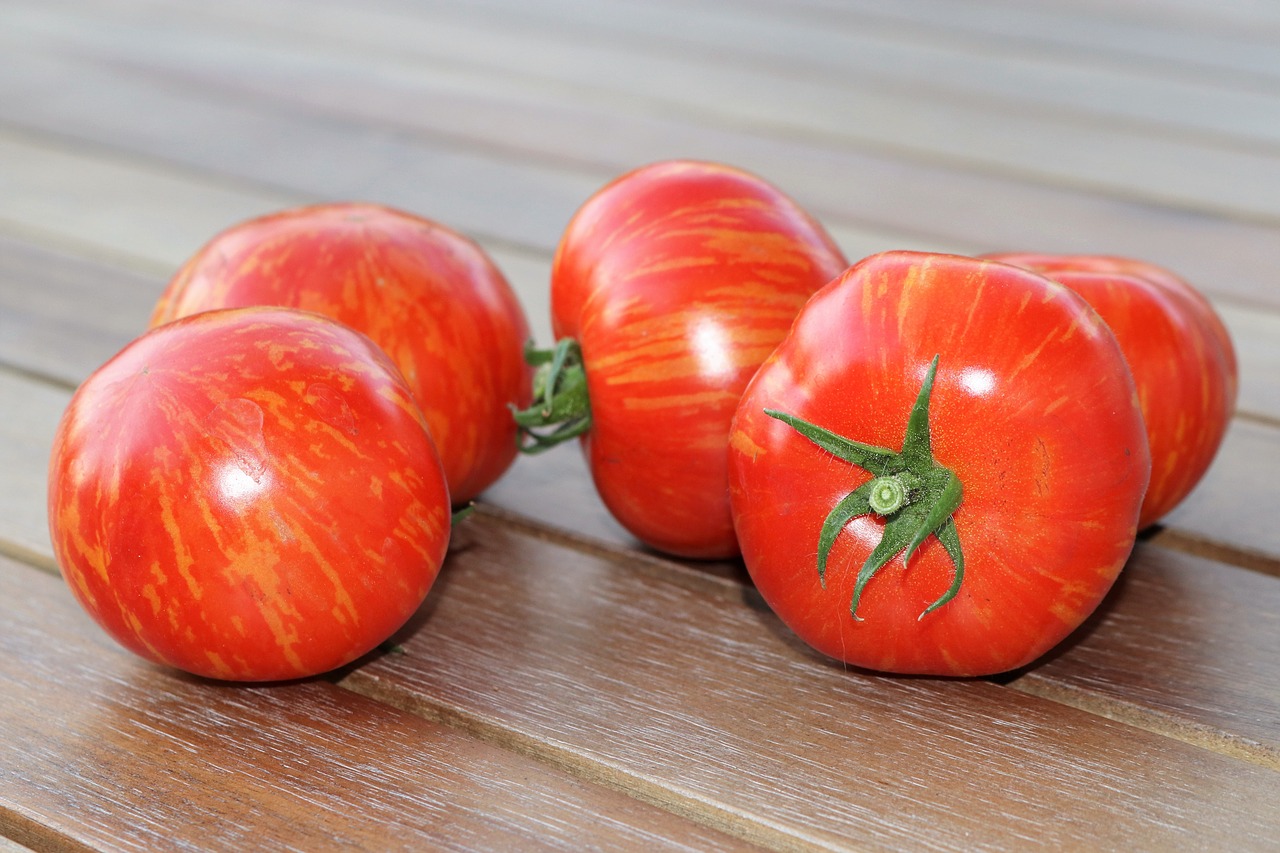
[973,417]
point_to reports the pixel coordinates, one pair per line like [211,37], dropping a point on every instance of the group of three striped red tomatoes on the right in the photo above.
[930,464]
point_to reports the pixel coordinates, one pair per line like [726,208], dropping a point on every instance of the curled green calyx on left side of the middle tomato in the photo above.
[561,409]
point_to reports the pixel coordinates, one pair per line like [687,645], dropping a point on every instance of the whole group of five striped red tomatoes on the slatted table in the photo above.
[929,464]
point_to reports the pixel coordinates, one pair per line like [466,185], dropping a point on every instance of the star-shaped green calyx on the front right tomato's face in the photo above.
[911,491]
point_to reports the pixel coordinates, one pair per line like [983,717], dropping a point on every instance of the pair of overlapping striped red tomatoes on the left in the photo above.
[260,486]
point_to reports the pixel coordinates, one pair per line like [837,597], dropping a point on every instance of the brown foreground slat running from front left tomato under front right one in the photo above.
[588,662]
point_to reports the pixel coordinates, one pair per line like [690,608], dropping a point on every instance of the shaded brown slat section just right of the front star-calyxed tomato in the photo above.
[1191,668]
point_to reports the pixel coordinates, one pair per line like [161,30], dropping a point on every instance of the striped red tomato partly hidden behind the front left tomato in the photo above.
[428,297]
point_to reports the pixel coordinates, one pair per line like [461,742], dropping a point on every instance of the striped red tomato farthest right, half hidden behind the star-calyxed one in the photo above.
[1181,355]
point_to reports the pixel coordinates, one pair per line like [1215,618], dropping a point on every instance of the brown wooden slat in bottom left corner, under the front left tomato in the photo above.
[102,750]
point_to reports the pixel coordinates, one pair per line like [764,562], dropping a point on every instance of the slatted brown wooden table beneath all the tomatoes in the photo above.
[563,687]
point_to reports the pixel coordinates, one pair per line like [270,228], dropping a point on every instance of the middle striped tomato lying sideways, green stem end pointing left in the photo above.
[671,286]
